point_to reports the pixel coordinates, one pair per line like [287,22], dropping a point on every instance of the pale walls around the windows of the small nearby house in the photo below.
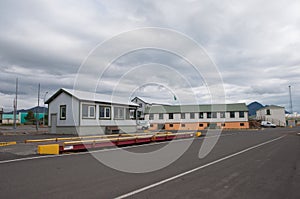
[75,123]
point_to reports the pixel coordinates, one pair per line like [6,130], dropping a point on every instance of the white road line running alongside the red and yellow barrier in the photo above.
[106,150]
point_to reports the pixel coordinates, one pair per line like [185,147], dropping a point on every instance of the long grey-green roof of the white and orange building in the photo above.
[197,108]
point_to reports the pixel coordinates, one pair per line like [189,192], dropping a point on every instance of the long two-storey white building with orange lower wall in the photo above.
[197,117]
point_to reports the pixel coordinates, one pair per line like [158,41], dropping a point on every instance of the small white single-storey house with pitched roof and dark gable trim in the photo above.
[86,113]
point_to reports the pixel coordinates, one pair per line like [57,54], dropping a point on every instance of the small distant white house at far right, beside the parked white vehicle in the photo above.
[272,113]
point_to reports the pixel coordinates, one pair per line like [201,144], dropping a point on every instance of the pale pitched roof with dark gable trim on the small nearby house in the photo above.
[90,96]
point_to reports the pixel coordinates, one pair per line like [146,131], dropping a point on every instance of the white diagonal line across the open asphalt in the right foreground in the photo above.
[196,169]
